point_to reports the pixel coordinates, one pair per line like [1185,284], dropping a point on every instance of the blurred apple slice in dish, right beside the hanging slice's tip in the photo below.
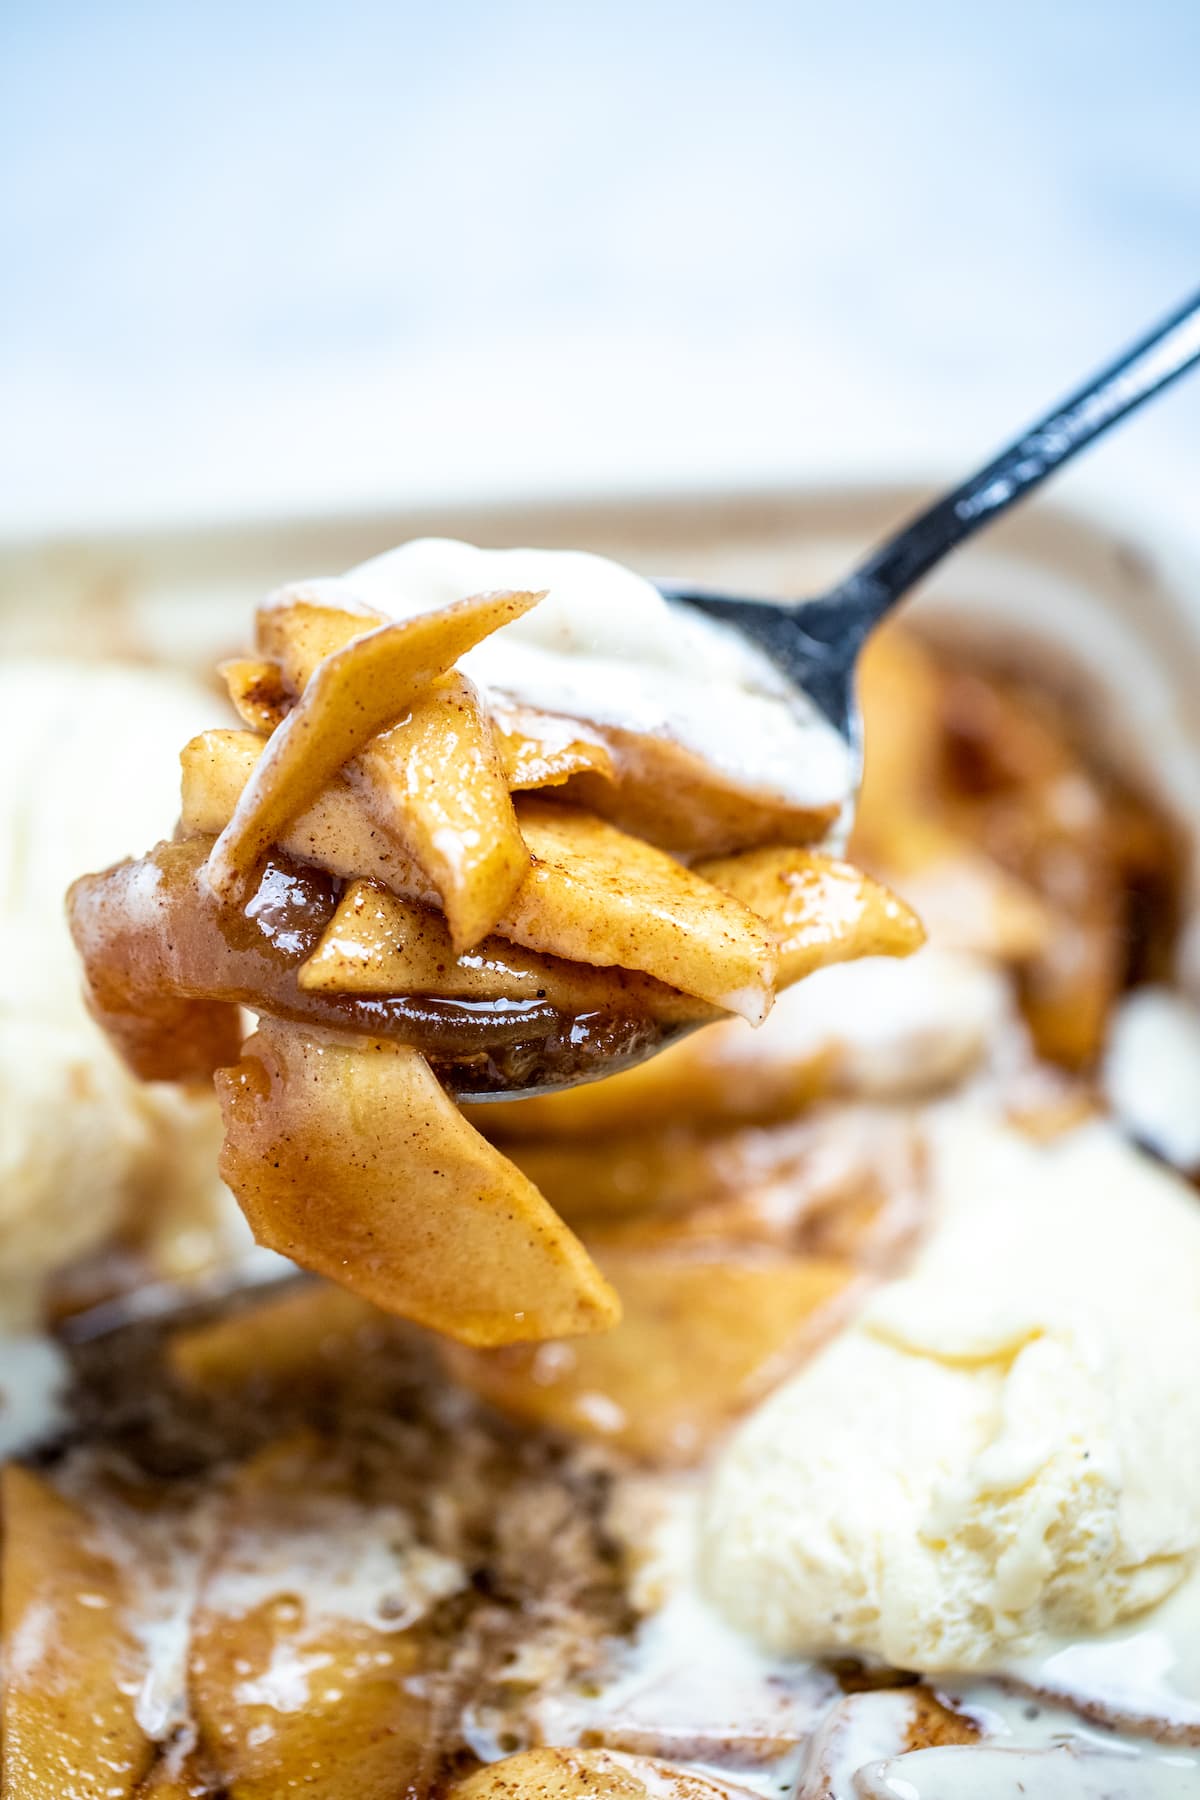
[703,1336]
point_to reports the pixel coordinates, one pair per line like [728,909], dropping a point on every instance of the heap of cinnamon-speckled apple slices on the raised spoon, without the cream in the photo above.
[375,870]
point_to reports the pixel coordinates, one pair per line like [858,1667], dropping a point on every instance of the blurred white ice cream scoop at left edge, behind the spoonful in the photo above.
[91,777]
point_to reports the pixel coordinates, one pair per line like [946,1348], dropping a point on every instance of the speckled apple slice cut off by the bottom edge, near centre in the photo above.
[589,1776]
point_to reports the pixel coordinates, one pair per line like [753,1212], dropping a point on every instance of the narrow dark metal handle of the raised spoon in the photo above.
[1165,354]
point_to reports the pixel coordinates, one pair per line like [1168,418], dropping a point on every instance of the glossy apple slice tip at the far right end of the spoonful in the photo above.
[821,910]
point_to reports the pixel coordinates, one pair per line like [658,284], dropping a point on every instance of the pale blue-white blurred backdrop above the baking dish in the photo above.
[307,256]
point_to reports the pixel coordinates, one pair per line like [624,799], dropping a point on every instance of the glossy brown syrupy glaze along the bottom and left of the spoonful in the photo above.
[168,967]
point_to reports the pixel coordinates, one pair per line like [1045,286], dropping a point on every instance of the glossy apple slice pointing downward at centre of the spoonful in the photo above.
[436,784]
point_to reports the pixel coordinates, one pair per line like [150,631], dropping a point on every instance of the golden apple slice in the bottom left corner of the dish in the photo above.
[71,1664]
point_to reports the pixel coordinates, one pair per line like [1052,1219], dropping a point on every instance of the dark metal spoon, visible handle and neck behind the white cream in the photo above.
[816,643]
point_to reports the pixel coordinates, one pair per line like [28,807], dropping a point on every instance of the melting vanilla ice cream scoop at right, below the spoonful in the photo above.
[1007,1448]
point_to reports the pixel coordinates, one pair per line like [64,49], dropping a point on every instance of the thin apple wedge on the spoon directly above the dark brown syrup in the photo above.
[379,944]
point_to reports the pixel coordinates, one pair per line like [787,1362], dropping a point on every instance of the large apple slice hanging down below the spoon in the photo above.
[354,1162]
